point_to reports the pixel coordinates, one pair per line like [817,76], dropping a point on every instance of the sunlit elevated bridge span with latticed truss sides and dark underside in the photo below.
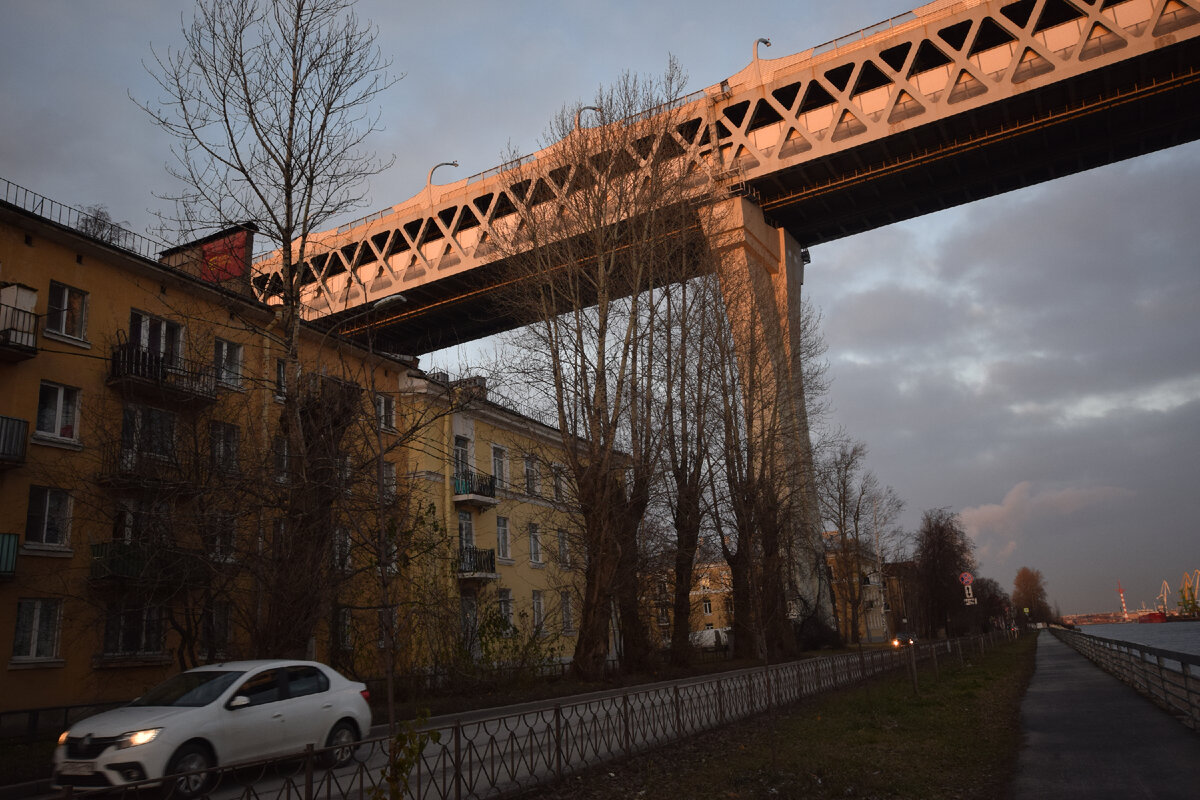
[946,105]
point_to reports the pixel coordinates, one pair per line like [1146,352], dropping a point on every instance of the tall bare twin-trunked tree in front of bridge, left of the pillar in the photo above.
[601,228]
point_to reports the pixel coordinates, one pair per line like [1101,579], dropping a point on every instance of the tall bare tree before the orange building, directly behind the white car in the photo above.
[271,104]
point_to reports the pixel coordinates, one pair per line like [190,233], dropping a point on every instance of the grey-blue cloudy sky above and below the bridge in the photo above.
[1031,362]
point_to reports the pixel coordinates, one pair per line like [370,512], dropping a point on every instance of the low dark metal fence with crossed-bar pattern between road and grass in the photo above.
[503,755]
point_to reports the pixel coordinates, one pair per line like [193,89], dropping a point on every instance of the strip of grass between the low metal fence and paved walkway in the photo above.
[958,738]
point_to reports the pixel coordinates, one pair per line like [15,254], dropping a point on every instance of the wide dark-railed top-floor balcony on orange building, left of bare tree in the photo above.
[153,376]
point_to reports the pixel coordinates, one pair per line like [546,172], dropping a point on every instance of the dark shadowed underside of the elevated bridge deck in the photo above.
[1127,110]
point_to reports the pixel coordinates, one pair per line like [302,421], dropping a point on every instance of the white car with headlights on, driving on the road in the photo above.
[215,717]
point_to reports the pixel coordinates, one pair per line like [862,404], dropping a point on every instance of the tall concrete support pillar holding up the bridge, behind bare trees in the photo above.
[761,269]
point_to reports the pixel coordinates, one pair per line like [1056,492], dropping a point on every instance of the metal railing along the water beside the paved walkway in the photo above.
[1171,679]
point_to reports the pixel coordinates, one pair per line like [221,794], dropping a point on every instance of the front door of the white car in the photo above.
[256,727]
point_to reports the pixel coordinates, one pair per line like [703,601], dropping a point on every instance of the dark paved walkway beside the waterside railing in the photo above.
[1089,736]
